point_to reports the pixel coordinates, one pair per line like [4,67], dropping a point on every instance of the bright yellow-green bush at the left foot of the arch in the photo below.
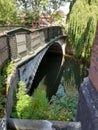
[24,102]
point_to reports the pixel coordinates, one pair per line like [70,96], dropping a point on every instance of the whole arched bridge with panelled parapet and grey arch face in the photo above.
[27,48]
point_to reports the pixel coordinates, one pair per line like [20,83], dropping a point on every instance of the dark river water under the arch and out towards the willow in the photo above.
[54,70]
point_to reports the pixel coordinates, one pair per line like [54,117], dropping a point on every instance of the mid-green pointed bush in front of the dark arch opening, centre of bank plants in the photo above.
[40,104]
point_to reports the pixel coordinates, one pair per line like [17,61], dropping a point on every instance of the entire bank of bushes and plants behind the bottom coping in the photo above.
[38,106]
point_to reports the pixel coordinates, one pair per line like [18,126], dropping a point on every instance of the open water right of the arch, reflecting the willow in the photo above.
[74,72]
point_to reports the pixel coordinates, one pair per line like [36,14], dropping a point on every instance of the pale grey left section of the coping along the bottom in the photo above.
[24,124]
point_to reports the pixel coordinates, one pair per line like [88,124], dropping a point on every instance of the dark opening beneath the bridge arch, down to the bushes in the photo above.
[48,72]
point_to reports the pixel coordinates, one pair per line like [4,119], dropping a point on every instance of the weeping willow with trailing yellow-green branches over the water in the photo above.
[82,26]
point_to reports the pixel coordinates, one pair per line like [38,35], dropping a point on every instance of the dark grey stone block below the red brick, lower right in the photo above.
[88,106]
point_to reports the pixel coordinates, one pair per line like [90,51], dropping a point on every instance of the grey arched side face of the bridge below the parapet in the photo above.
[28,70]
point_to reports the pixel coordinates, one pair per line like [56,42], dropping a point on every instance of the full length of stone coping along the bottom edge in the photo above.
[27,124]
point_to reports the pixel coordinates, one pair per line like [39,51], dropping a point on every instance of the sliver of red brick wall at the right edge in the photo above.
[93,72]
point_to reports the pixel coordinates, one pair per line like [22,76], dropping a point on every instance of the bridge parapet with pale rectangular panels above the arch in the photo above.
[21,42]
